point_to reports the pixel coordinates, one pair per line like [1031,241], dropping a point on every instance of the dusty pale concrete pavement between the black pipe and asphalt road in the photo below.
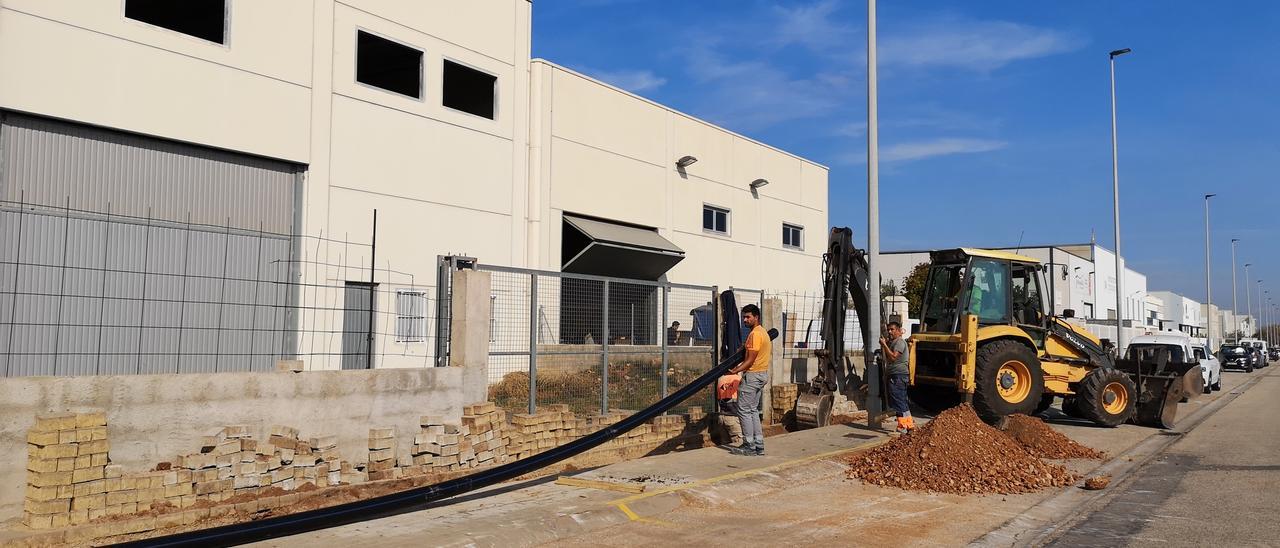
[798,494]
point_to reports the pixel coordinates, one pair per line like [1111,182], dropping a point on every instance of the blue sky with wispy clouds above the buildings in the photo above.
[995,116]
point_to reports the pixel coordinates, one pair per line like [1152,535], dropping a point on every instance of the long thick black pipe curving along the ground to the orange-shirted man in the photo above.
[418,497]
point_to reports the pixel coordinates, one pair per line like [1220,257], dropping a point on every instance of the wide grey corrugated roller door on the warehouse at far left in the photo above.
[126,254]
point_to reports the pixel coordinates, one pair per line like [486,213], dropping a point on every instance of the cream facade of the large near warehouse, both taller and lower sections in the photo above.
[435,115]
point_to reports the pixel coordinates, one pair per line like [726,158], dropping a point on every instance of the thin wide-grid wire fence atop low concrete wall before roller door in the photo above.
[93,293]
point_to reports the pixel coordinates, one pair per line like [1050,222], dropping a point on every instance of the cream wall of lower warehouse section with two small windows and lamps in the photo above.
[604,152]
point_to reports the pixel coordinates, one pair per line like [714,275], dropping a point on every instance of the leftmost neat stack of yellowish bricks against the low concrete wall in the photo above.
[67,467]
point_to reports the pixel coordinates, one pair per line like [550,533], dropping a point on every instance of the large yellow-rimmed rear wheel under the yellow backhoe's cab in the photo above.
[1008,381]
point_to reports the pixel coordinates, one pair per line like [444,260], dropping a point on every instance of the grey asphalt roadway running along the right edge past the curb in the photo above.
[1219,486]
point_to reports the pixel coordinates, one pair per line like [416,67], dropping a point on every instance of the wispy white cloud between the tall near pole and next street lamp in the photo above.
[976,45]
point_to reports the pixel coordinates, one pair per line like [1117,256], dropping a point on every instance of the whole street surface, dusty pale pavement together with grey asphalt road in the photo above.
[1224,472]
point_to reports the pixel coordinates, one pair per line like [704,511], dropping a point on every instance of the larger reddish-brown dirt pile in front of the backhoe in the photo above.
[959,454]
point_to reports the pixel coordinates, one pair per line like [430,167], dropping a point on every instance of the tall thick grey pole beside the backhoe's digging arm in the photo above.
[874,382]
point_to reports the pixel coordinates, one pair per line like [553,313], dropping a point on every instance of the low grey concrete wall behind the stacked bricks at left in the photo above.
[156,418]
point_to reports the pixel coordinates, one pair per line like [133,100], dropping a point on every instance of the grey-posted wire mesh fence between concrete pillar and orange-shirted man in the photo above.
[596,344]
